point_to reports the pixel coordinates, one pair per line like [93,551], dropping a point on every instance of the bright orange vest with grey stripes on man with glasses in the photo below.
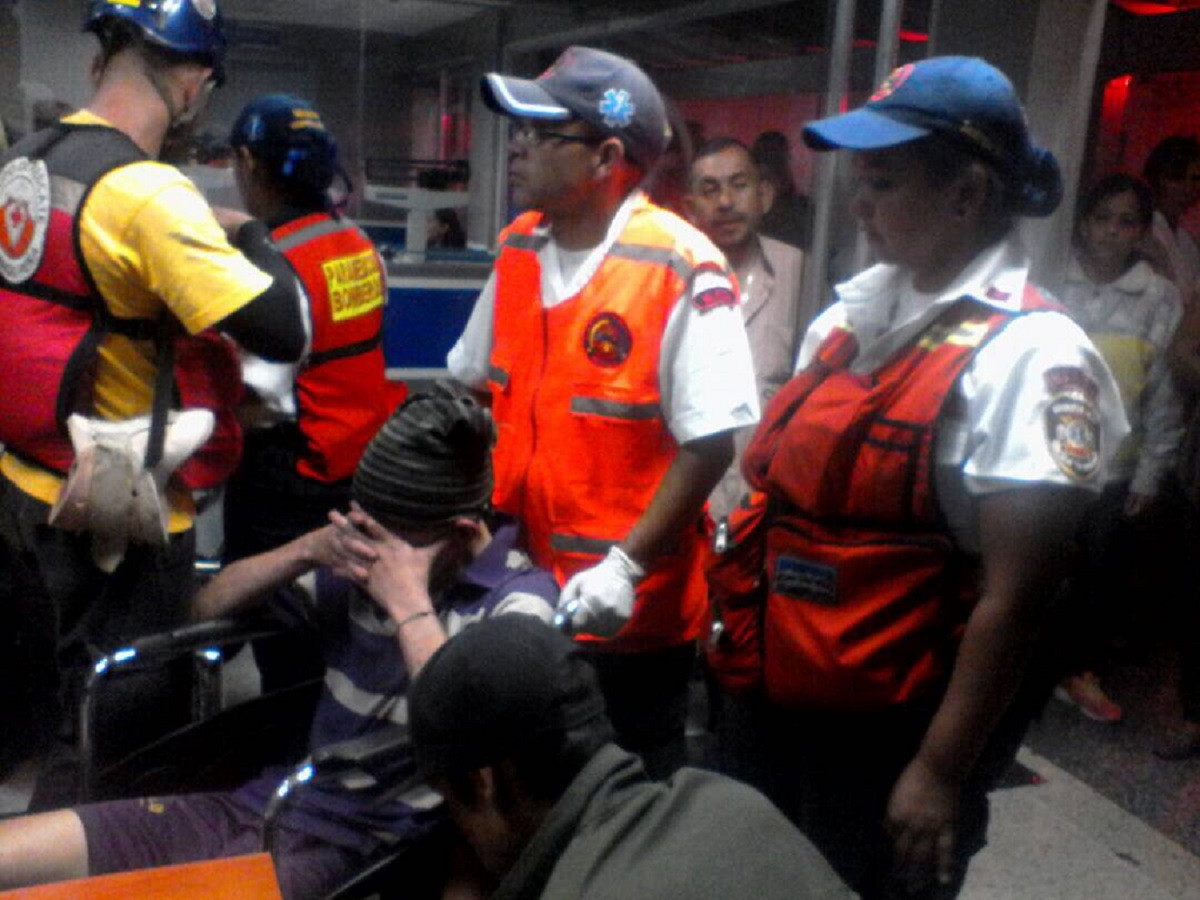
[583,445]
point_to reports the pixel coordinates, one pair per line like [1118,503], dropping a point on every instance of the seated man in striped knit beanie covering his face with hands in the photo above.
[411,563]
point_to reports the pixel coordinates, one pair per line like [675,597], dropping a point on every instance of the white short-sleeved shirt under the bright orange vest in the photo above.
[706,375]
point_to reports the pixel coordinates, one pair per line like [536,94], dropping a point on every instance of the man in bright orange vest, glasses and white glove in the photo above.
[613,346]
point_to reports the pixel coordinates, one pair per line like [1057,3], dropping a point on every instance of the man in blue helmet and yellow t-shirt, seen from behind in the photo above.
[106,256]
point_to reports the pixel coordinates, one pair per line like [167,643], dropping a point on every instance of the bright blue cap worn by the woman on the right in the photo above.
[964,99]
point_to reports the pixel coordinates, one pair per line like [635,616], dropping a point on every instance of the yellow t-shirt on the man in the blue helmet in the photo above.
[151,242]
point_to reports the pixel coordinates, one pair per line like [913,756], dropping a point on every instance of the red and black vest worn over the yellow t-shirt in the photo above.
[56,319]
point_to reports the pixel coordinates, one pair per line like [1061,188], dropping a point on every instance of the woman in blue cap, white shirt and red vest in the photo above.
[925,471]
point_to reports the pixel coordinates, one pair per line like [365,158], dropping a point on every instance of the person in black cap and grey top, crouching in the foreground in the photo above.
[509,725]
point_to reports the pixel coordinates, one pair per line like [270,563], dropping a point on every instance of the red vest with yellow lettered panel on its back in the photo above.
[343,397]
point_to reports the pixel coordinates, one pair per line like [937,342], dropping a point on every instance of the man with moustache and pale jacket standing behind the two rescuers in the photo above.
[727,200]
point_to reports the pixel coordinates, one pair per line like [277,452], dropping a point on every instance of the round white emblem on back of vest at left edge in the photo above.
[25,217]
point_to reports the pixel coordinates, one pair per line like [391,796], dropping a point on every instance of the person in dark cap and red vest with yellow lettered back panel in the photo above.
[308,423]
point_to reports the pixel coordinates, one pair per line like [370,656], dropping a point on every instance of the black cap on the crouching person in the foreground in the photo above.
[499,687]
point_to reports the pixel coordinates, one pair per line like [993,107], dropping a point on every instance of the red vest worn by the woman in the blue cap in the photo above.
[867,591]
